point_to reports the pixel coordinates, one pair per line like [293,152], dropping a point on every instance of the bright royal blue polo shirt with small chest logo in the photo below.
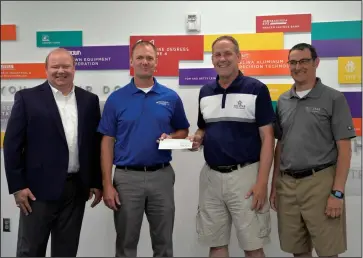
[137,119]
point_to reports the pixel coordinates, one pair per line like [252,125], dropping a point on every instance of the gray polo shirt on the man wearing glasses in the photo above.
[308,128]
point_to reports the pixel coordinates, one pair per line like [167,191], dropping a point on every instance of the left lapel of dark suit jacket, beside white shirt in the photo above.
[53,108]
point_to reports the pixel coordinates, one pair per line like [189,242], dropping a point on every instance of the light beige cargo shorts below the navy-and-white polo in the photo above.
[222,202]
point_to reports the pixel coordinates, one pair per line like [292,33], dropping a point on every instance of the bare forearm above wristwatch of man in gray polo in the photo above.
[342,170]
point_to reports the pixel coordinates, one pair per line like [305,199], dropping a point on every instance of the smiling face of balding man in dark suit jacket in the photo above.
[60,69]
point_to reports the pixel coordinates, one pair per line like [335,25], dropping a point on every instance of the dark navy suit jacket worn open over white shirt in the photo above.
[35,147]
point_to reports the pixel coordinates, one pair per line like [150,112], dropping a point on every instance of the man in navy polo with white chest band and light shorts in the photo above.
[235,127]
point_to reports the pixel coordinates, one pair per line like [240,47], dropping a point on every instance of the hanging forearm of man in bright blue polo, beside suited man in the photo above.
[107,149]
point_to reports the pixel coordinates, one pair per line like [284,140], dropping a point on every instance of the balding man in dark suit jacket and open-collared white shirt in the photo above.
[52,159]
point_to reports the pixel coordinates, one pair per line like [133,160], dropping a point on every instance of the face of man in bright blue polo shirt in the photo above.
[144,61]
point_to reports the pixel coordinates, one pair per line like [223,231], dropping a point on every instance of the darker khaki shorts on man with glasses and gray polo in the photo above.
[302,223]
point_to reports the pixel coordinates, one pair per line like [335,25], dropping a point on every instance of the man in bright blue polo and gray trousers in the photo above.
[134,119]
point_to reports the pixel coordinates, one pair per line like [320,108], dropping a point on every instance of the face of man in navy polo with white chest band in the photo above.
[225,58]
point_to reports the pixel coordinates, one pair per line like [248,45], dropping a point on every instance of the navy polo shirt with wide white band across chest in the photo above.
[231,119]
